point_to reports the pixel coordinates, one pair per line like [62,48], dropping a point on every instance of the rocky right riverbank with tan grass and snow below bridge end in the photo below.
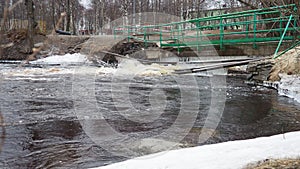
[282,74]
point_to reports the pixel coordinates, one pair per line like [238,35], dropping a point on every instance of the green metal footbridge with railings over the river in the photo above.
[278,24]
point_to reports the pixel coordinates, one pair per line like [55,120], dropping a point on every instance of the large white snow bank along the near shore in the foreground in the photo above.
[235,154]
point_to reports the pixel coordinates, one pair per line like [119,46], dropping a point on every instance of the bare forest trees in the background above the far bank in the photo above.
[99,12]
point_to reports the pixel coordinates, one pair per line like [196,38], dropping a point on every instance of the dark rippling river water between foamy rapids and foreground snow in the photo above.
[82,120]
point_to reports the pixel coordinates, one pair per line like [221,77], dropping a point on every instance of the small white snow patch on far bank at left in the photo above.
[76,58]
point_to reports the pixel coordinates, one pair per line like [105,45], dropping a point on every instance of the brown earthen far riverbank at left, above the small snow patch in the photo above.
[13,45]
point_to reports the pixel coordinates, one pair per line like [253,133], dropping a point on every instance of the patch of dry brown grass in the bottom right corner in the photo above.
[276,164]
